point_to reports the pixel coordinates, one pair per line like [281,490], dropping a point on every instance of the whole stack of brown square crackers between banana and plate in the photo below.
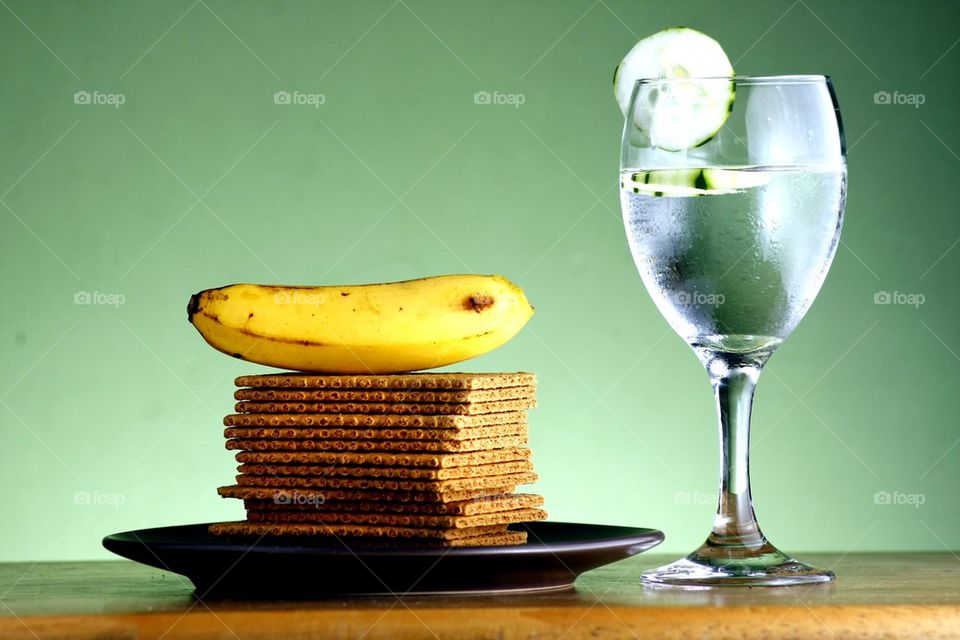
[428,457]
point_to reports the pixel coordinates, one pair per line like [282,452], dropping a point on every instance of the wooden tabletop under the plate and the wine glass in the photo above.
[876,595]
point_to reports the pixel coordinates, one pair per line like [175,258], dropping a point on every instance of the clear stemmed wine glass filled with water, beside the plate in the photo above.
[733,237]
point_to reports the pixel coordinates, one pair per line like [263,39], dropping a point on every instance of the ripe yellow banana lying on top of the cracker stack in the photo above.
[375,328]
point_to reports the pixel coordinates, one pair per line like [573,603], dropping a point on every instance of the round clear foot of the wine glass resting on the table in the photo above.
[764,567]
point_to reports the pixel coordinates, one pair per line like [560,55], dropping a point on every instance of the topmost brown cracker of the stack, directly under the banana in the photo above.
[412,381]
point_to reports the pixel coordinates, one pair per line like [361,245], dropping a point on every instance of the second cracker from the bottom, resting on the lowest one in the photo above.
[399,519]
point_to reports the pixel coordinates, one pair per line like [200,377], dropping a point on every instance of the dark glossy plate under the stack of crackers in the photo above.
[554,555]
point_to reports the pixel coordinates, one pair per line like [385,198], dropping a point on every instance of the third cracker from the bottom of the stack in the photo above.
[471,507]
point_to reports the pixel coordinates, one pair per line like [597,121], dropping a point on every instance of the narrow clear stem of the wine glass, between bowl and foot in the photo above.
[734,378]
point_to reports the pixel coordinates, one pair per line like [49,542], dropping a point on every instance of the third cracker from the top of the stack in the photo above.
[396,408]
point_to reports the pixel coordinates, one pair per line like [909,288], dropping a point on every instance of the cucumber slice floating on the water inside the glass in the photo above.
[686,183]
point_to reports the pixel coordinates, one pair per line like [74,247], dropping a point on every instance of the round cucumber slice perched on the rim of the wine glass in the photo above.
[681,115]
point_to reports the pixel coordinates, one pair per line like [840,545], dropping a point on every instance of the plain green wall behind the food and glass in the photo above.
[111,416]
